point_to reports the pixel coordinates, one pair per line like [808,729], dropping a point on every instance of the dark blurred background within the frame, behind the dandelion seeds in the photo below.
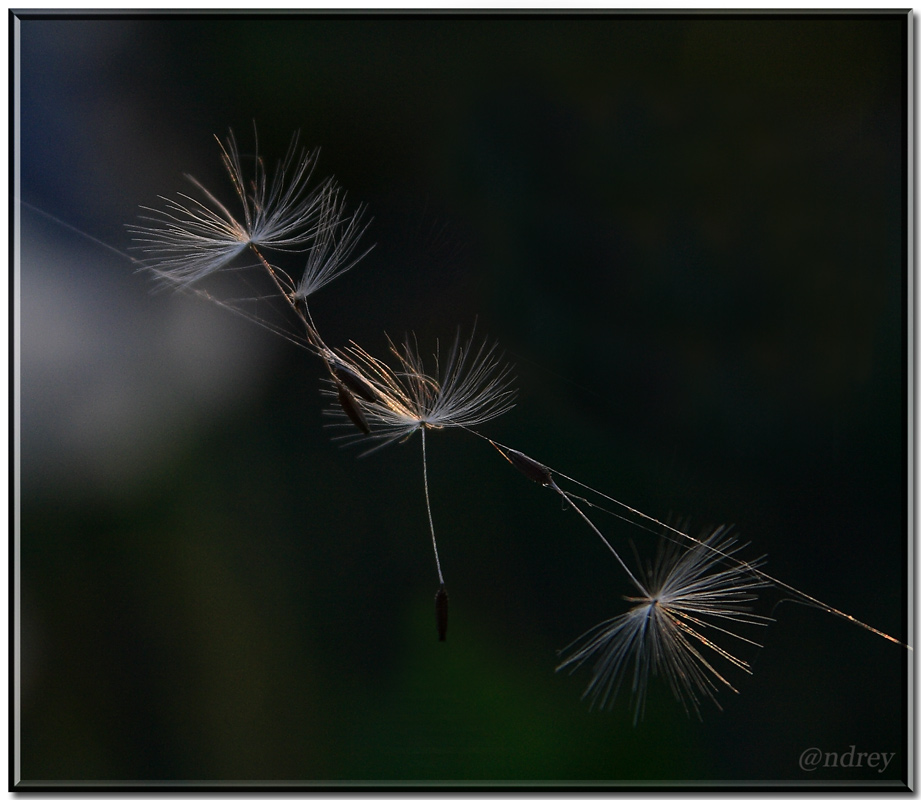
[687,235]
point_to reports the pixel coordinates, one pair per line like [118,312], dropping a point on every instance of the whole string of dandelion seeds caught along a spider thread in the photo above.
[689,609]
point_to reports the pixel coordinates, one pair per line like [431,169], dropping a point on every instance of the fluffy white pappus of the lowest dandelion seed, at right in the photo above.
[689,596]
